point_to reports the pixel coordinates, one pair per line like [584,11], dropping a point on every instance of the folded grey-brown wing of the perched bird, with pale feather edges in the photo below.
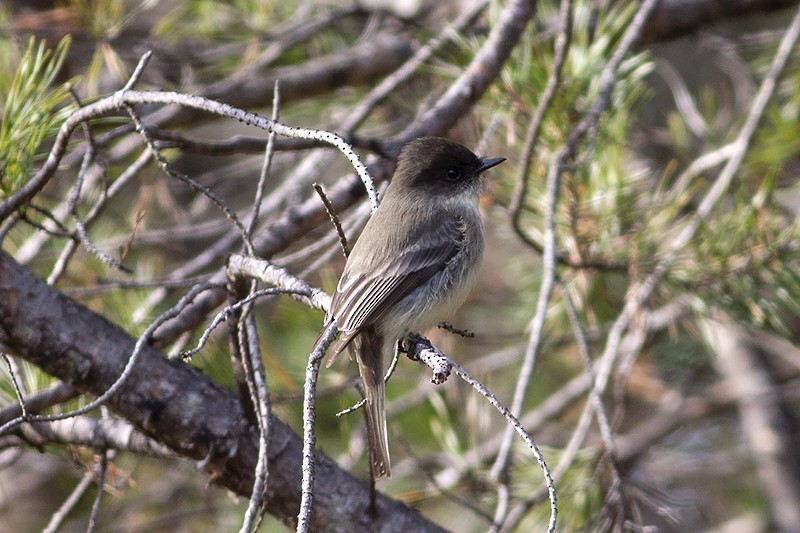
[362,298]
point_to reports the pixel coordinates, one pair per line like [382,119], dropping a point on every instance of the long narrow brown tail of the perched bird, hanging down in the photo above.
[367,347]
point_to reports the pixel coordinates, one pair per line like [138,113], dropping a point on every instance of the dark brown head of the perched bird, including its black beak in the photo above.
[437,163]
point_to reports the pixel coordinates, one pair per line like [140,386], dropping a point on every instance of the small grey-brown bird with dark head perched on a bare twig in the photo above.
[413,264]
